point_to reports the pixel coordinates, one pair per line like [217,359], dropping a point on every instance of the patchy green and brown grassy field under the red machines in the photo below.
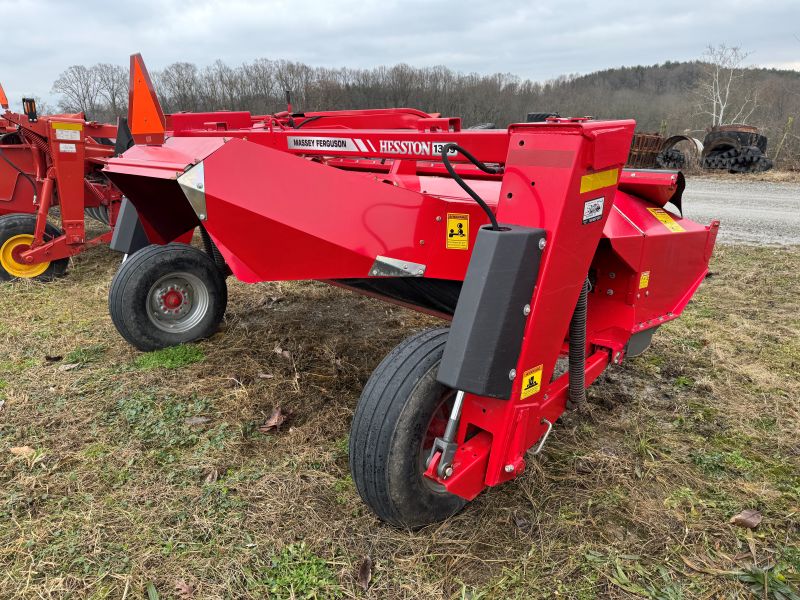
[129,475]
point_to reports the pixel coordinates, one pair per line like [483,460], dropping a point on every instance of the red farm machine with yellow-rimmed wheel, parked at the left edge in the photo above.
[49,162]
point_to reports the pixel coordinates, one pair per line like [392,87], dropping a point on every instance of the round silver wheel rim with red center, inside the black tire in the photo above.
[177,302]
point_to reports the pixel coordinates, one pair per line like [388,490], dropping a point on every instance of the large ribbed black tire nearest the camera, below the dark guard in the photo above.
[391,418]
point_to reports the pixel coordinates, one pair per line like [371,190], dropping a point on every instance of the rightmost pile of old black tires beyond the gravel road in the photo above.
[735,148]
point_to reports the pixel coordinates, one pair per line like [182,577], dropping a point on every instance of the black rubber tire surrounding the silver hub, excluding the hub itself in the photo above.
[127,298]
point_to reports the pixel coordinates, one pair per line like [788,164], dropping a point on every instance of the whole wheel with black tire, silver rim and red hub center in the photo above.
[167,295]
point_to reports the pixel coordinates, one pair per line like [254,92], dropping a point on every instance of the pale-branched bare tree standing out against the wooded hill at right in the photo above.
[723,93]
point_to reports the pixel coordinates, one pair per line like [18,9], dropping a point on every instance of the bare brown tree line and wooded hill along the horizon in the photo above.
[674,97]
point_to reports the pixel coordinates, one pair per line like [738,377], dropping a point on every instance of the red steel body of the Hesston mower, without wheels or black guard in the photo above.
[280,205]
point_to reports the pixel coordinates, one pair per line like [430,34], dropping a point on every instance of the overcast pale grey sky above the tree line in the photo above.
[537,39]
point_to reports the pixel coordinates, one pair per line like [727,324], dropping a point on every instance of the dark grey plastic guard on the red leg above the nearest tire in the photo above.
[489,322]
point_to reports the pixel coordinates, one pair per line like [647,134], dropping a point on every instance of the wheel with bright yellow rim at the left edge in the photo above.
[16,236]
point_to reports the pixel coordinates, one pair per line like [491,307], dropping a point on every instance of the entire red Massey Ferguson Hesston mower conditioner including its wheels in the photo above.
[550,262]
